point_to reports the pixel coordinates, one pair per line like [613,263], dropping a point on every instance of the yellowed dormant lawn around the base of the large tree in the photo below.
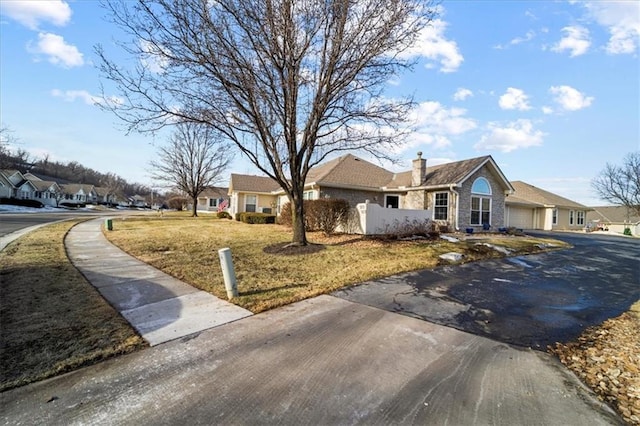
[269,274]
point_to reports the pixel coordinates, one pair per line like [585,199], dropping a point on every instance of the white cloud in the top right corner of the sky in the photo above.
[622,20]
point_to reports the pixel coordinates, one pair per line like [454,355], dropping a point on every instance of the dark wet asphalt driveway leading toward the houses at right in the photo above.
[530,301]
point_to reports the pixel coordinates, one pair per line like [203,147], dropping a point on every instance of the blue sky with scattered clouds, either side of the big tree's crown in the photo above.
[550,89]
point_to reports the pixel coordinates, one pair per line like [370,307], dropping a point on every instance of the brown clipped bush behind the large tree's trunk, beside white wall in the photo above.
[320,215]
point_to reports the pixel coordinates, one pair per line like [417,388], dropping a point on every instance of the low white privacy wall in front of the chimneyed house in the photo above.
[372,219]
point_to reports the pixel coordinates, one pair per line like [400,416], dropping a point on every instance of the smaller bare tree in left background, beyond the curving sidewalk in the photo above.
[193,159]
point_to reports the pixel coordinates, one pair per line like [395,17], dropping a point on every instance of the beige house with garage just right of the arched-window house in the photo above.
[530,207]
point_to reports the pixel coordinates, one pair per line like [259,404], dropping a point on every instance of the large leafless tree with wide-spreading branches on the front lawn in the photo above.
[290,82]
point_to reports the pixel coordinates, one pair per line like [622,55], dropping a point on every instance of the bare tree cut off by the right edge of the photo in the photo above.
[620,185]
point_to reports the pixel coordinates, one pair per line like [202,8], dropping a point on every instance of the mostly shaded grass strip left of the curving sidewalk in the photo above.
[52,319]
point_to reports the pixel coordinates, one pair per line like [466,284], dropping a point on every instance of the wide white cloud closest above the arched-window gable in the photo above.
[506,138]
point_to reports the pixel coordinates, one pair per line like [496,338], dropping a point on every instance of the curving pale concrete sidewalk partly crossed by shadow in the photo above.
[160,307]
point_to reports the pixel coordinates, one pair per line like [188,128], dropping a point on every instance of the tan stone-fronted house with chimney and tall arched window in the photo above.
[464,194]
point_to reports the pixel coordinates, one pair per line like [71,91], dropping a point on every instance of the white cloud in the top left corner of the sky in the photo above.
[32,13]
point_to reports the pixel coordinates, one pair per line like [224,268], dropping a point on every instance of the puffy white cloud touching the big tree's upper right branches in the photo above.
[434,46]
